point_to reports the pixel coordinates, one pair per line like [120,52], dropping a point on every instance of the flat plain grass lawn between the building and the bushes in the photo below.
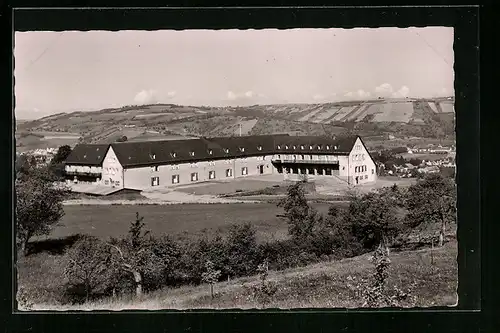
[114,220]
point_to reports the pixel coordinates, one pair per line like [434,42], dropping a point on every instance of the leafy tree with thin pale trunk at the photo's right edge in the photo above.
[432,201]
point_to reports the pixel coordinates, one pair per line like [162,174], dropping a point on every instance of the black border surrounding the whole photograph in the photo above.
[465,20]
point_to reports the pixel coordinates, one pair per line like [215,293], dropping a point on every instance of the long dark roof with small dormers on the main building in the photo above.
[135,154]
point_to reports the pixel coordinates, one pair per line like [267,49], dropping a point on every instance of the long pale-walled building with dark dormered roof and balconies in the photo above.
[142,165]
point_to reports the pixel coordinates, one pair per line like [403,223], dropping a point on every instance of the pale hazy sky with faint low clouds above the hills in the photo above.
[78,71]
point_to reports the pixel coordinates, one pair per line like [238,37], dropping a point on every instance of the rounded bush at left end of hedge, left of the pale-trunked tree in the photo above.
[88,265]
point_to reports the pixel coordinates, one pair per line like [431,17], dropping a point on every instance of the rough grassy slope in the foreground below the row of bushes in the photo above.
[330,284]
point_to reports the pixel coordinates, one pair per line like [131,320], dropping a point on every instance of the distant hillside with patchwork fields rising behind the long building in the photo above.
[432,118]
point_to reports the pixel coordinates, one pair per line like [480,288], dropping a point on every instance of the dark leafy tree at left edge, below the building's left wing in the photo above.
[38,208]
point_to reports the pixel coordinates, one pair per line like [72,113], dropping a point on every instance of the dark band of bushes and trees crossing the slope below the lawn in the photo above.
[142,262]
